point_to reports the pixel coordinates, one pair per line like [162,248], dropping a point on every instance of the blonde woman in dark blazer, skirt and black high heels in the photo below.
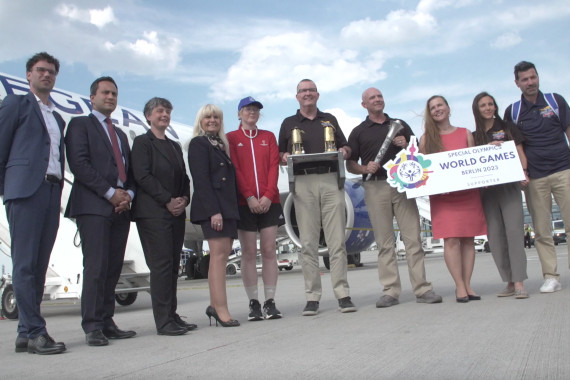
[214,202]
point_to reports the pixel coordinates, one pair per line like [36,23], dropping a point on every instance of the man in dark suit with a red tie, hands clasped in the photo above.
[98,154]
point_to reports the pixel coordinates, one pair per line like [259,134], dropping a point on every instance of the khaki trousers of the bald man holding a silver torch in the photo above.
[383,203]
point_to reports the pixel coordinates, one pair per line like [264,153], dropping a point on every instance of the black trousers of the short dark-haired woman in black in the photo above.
[162,241]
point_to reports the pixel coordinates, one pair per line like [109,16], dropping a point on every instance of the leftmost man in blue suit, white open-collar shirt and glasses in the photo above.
[31,178]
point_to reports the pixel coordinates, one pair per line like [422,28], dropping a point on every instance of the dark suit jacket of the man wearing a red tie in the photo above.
[91,160]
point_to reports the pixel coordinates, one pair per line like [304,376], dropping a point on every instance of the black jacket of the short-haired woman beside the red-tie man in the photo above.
[155,177]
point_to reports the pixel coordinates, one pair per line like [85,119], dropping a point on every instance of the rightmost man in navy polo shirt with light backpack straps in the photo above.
[544,119]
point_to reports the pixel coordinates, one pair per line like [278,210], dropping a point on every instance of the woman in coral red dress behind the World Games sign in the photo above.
[456,217]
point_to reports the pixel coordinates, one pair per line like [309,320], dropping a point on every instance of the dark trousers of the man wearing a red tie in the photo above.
[103,242]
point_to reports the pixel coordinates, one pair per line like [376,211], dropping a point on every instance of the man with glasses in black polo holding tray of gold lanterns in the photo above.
[318,199]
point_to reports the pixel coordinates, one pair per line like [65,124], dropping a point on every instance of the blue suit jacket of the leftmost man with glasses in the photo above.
[24,146]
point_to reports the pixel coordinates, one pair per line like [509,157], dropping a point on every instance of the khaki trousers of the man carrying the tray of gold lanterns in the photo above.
[318,199]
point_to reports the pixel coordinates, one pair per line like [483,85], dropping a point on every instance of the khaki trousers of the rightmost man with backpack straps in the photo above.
[539,201]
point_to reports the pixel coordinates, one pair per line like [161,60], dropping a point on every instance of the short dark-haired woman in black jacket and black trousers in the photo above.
[160,212]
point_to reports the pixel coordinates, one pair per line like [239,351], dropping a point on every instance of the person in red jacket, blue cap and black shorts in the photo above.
[256,159]
